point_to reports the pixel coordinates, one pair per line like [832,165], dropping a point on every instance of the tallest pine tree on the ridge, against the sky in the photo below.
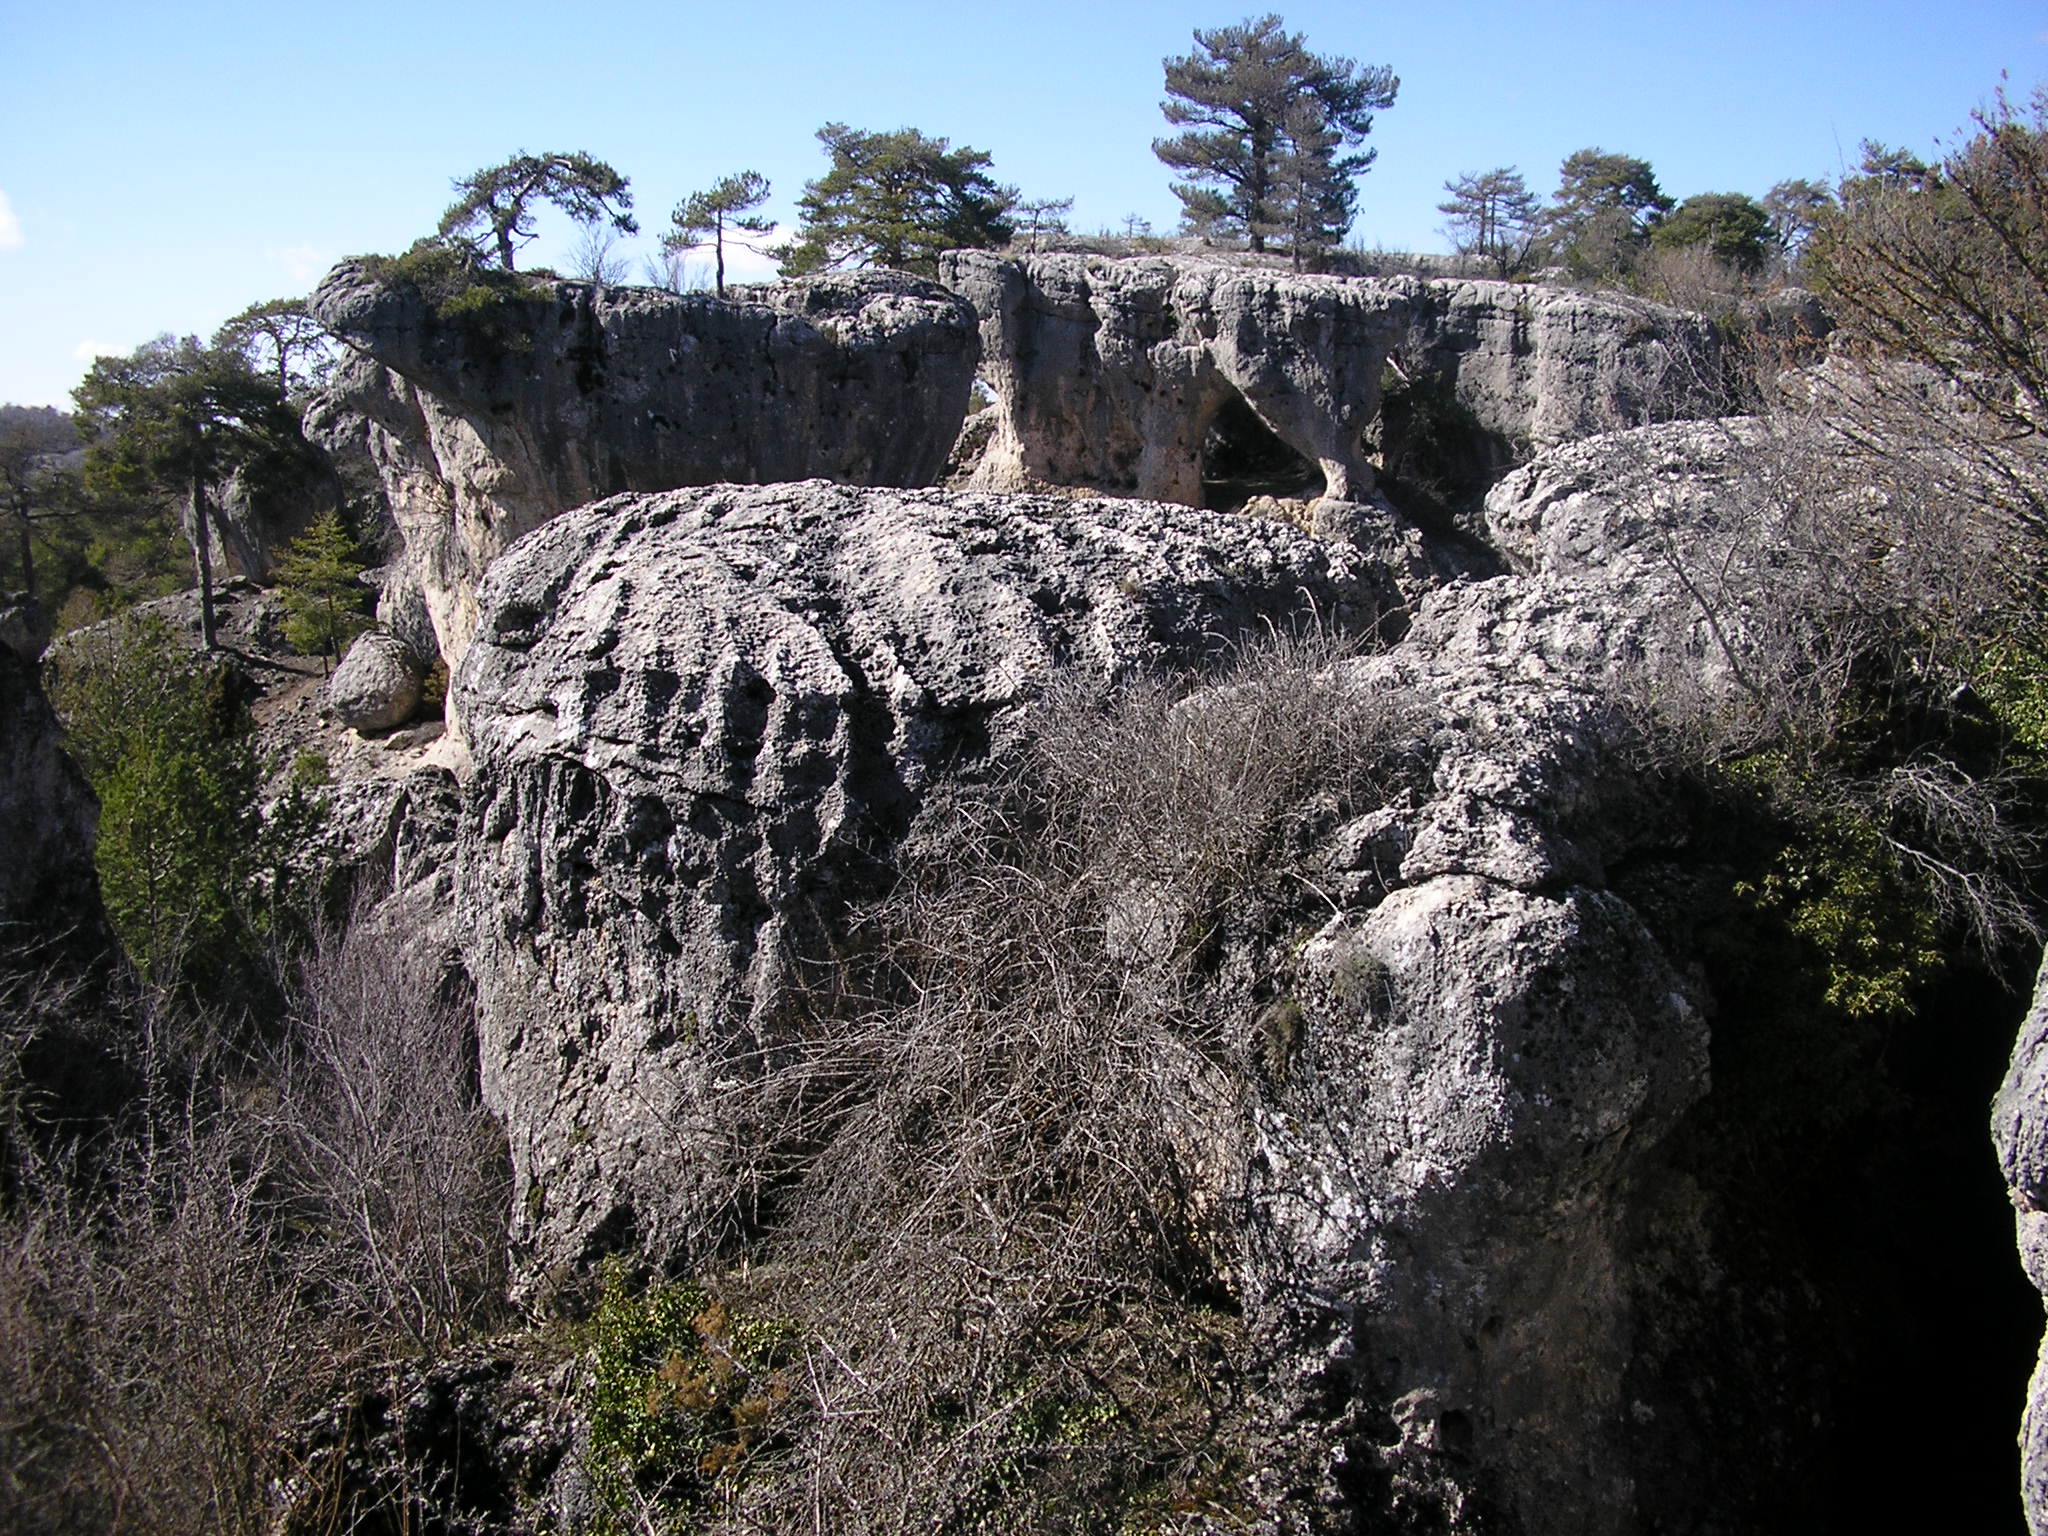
[1265,122]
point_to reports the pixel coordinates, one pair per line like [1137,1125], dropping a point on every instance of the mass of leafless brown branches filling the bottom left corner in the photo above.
[185,1283]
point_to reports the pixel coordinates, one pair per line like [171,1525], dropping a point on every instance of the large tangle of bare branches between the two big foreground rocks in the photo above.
[1002,1261]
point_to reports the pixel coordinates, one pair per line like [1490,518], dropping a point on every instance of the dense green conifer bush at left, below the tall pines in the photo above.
[167,742]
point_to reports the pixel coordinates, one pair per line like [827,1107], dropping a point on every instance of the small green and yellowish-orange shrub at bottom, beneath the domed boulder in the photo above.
[685,1394]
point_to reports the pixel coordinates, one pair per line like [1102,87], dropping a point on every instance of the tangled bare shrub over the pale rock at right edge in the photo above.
[1838,593]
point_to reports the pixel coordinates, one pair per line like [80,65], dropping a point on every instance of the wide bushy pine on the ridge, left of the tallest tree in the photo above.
[896,200]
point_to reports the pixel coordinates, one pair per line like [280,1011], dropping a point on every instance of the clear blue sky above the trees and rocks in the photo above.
[167,165]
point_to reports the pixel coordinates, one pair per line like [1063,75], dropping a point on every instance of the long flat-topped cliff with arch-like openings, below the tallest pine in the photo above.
[1140,376]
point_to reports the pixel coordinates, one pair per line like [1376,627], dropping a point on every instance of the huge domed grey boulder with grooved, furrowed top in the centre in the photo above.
[701,722]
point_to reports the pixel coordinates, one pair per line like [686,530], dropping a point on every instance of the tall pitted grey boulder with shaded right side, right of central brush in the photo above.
[1490,1048]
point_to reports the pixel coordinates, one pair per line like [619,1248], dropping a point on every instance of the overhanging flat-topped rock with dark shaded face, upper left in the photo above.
[486,427]
